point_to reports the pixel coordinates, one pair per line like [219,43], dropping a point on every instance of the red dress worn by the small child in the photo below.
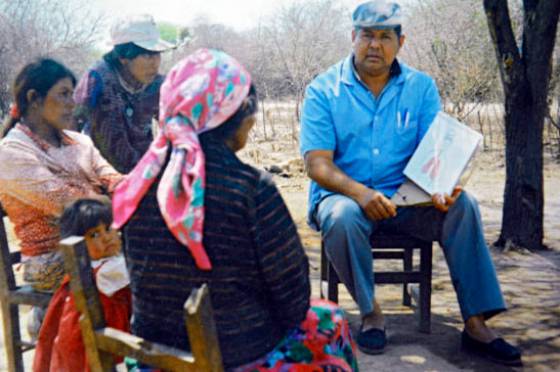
[60,347]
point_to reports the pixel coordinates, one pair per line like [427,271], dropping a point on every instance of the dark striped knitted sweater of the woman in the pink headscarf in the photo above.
[259,283]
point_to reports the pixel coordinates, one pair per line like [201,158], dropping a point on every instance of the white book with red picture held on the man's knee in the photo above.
[439,161]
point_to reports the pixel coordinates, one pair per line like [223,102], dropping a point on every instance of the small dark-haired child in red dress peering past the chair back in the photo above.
[60,346]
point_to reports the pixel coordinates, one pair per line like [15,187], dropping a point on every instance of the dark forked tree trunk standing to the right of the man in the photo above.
[525,74]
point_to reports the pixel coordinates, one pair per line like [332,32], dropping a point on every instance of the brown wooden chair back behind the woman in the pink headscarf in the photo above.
[102,342]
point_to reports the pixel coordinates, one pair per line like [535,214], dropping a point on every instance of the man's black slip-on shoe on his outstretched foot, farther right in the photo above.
[498,350]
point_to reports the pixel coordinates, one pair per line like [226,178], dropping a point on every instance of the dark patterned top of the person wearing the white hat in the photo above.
[117,117]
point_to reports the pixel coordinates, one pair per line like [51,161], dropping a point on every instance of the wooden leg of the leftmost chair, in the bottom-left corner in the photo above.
[12,337]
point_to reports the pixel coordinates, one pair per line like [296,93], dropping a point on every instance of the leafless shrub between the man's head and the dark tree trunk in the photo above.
[449,40]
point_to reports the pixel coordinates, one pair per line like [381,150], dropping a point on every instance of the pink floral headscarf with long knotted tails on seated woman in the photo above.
[200,93]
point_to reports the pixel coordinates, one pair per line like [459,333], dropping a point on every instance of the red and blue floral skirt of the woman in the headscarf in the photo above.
[322,342]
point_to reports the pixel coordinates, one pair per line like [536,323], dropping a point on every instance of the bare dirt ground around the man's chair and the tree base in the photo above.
[530,281]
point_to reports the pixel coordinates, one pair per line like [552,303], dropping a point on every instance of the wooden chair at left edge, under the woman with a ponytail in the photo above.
[11,297]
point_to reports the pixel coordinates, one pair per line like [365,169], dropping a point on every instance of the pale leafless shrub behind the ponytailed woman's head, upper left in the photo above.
[66,30]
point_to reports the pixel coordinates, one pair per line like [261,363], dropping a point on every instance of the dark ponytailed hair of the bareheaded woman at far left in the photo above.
[40,75]
